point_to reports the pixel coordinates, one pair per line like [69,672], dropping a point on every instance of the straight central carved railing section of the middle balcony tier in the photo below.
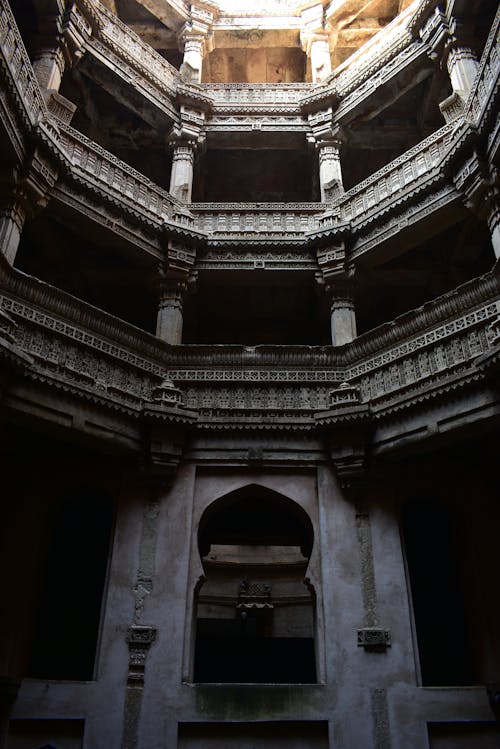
[228,219]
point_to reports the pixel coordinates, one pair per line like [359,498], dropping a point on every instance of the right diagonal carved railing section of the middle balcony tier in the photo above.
[375,194]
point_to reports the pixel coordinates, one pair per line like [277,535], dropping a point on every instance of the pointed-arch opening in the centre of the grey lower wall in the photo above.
[255,611]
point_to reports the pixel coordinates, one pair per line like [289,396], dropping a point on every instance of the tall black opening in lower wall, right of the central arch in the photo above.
[437,595]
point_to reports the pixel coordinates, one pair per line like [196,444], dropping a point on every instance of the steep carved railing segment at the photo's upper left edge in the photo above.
[19,66]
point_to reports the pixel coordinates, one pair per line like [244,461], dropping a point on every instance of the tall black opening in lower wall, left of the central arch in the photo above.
[67,626]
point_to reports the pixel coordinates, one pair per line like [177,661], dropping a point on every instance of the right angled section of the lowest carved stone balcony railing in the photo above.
[439,341]
